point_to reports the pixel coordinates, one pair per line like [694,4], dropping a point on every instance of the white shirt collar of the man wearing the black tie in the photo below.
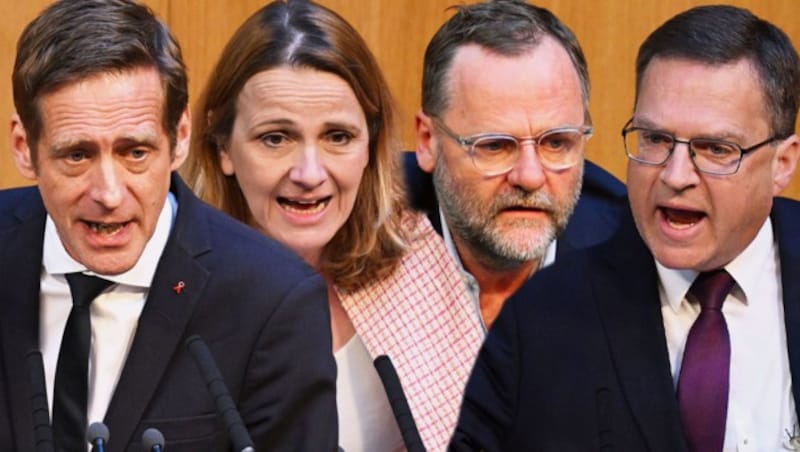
[56,260]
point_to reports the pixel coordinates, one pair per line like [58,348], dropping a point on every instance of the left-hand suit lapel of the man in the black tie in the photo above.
[21,267]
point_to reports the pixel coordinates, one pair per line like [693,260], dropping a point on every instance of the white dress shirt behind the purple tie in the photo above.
[761,411]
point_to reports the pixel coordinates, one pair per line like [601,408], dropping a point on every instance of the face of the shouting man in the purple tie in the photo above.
[692,220]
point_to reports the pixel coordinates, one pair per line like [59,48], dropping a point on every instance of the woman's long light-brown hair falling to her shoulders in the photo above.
[300,33]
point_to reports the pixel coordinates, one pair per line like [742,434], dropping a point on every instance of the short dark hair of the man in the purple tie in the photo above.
[722,34]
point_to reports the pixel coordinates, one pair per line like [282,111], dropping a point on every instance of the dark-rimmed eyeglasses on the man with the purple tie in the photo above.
[654,147]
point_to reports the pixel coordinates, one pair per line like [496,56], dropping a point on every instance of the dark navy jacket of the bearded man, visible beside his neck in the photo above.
[595,218]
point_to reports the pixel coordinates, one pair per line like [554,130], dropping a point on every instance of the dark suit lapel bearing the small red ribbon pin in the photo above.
[164,319]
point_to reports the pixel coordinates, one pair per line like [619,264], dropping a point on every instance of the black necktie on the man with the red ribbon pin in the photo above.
[72,379]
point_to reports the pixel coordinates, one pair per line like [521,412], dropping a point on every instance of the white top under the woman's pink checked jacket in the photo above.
[366,421]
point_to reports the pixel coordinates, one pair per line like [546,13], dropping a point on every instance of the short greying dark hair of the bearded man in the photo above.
[505,27]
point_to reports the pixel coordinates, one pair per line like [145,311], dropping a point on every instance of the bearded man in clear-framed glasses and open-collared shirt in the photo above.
[500,141]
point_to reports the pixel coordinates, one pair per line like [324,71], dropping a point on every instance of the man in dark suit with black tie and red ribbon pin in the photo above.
[101,125]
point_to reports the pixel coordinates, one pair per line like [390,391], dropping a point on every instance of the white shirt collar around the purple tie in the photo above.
[675,283]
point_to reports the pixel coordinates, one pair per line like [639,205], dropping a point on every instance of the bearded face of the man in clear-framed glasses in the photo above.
[511,218]
